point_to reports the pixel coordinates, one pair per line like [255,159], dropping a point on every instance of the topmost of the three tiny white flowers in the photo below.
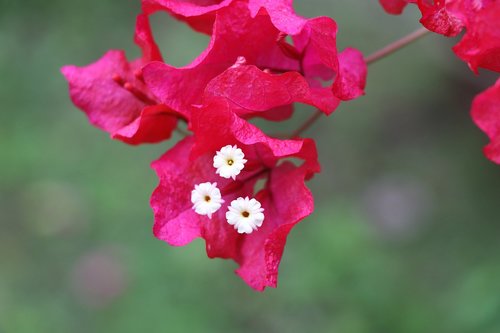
[229,161]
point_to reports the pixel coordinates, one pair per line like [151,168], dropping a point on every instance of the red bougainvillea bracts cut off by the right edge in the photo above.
[479,48]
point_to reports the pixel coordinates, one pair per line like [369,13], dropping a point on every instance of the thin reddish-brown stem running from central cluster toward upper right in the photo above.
[380,54]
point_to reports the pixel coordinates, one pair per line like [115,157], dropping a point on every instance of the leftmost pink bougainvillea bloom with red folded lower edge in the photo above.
[112,93]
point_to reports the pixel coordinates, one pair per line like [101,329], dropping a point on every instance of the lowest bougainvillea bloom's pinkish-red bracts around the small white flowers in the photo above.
[284,199]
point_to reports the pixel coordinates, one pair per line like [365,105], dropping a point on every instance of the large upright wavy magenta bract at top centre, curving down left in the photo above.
[234,36]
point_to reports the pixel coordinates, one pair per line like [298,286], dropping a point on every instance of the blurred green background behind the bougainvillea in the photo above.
[405,236]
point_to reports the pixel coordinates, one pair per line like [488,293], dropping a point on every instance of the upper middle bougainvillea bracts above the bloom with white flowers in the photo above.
[240,38]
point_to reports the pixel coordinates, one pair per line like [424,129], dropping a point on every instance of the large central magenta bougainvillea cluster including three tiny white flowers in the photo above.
[227,182]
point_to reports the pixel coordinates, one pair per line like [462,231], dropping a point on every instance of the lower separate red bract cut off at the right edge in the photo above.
[486,114]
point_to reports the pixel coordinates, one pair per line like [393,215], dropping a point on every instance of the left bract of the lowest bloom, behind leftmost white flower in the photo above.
[175,221]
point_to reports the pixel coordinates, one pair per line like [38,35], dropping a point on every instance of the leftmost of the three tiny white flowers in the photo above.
[206,199]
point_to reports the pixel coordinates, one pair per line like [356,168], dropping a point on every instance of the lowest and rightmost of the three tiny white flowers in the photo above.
[245,215]
